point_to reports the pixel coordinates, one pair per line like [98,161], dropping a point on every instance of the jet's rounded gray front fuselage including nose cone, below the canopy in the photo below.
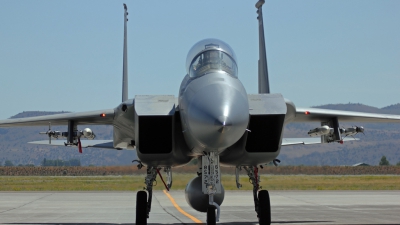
[214,111]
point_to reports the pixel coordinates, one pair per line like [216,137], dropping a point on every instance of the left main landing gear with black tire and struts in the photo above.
[143,198]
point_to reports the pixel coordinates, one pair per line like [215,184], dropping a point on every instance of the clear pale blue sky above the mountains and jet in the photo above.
[67,55]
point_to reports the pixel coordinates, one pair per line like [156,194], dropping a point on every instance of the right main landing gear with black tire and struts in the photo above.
[262,204]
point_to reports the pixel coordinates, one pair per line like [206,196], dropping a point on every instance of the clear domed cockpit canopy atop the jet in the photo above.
[211,55]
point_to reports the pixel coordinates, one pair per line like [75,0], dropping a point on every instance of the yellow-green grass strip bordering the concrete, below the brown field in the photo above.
[136,182]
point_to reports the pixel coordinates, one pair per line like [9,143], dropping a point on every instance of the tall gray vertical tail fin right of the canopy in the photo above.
[263,81]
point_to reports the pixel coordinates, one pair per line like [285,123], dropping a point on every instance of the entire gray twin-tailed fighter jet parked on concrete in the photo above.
[213,119]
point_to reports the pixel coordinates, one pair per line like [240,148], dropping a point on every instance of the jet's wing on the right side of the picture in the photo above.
[321,115]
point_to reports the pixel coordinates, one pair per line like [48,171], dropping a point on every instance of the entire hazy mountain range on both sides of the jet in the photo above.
[380,139]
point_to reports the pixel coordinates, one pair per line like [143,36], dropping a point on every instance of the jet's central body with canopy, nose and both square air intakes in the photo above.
[213,113]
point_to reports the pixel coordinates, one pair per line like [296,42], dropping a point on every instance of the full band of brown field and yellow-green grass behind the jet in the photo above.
[129,178]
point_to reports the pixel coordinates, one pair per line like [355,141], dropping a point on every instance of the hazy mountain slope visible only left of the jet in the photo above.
[14,146]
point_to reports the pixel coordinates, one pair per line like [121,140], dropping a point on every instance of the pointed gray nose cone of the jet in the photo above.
[218,116]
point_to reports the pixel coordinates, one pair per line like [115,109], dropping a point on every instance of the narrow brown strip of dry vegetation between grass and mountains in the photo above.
[133,170]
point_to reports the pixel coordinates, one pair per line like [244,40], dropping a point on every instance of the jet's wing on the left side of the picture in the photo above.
[99,117]
